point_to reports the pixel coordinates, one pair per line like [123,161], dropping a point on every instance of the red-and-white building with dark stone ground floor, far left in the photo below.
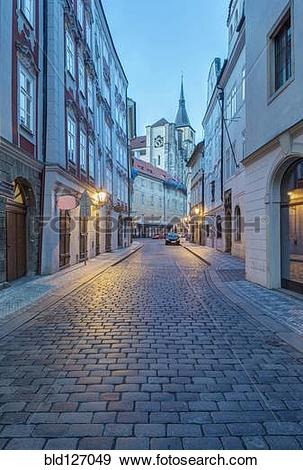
[21,138]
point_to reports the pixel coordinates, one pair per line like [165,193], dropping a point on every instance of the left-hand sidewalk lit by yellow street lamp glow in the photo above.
[27,297]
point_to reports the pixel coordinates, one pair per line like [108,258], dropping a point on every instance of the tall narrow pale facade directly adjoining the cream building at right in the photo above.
[233,84]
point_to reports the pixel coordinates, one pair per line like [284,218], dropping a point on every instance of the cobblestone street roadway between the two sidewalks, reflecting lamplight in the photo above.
[148,356]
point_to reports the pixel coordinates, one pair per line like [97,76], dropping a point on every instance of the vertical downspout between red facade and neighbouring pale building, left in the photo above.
[44,127]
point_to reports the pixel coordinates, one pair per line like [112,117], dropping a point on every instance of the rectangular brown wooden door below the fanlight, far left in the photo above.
[15,241]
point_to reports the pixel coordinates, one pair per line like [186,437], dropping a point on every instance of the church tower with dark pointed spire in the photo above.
[185,136]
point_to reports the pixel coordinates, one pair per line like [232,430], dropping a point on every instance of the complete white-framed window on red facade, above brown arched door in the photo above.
[26,99]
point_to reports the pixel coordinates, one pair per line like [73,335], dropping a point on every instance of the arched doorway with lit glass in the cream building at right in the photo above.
[291,227]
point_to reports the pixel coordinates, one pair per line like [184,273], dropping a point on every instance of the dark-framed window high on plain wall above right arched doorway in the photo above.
[282,44]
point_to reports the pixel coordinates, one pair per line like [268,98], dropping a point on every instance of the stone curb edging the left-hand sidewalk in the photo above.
[41,305]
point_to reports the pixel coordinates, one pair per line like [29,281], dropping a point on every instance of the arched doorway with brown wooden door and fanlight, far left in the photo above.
[16,233]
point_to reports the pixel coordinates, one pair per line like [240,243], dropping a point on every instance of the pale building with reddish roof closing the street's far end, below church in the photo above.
[159,200]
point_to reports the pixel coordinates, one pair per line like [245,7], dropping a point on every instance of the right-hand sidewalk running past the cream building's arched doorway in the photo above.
[275,309]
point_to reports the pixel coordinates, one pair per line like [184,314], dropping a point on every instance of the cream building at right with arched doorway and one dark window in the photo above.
[274,144]
